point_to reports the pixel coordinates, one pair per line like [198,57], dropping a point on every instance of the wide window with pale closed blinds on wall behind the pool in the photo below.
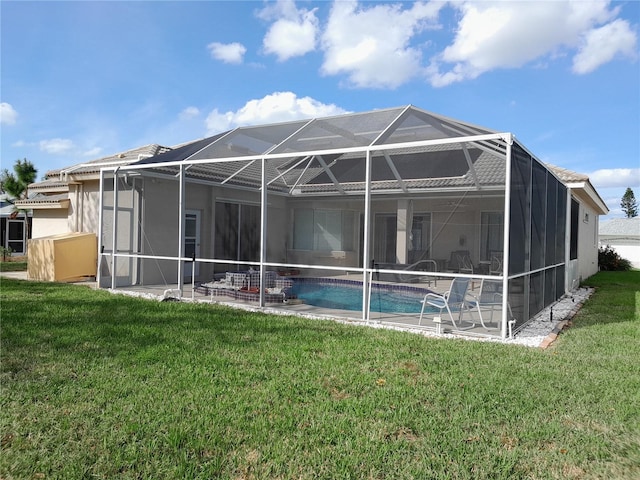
[323,230]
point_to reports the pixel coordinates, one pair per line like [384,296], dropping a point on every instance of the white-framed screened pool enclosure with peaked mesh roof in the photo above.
[369,216]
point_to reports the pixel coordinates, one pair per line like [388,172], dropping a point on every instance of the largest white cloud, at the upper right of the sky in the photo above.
[495,34]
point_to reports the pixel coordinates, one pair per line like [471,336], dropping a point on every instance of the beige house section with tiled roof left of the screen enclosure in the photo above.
[67,200]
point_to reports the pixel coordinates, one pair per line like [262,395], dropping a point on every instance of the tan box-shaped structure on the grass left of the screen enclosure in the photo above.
[66,257]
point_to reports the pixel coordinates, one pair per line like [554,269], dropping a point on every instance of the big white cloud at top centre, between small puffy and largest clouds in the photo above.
[372,45]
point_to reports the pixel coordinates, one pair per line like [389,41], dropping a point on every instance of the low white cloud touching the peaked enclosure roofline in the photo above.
[274,108]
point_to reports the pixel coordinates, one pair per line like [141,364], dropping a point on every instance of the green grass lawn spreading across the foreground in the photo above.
[96,385]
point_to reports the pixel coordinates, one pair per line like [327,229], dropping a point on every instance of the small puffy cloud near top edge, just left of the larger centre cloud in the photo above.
[294,32]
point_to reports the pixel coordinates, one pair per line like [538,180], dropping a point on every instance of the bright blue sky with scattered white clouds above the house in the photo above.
[82,80]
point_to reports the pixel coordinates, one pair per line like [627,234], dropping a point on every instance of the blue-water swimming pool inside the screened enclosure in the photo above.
[347,295]
